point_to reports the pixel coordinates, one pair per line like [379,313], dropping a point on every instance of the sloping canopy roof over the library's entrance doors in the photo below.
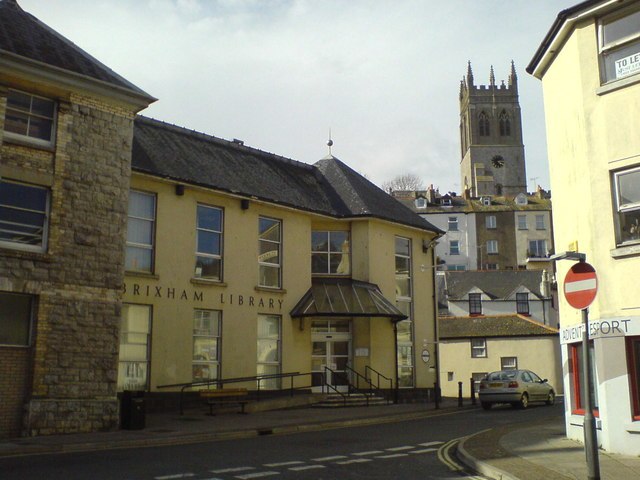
[344,297]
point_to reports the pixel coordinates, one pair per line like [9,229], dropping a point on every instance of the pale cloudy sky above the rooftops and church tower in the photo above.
[382,77]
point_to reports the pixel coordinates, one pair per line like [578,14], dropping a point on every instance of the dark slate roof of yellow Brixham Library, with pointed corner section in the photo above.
[329,187]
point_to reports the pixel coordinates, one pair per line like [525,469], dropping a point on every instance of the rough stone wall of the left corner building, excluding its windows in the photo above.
[77,282]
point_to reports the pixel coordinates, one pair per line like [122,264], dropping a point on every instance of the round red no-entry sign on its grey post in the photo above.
[580,289]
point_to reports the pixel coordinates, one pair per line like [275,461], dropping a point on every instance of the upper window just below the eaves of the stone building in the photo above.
[29,118]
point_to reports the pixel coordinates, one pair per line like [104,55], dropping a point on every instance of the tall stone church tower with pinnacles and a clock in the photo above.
[492,152]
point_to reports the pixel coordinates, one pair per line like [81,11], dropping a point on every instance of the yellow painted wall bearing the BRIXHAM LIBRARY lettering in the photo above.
[372,250]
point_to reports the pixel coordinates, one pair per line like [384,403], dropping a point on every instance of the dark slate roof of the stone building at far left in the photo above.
[24,35]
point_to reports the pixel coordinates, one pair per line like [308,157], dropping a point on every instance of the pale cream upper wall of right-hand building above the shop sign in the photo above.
[588,136]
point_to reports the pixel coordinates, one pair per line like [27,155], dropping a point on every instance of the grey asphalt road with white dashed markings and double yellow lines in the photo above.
[419,449]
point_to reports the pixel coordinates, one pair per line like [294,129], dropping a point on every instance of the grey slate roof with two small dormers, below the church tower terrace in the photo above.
[497,284]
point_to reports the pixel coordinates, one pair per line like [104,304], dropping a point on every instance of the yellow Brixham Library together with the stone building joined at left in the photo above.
[136,254]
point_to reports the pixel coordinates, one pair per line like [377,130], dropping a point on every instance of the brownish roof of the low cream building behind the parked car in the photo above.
[491,327]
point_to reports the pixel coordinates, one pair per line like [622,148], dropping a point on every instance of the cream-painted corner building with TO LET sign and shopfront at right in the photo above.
[589,65]
